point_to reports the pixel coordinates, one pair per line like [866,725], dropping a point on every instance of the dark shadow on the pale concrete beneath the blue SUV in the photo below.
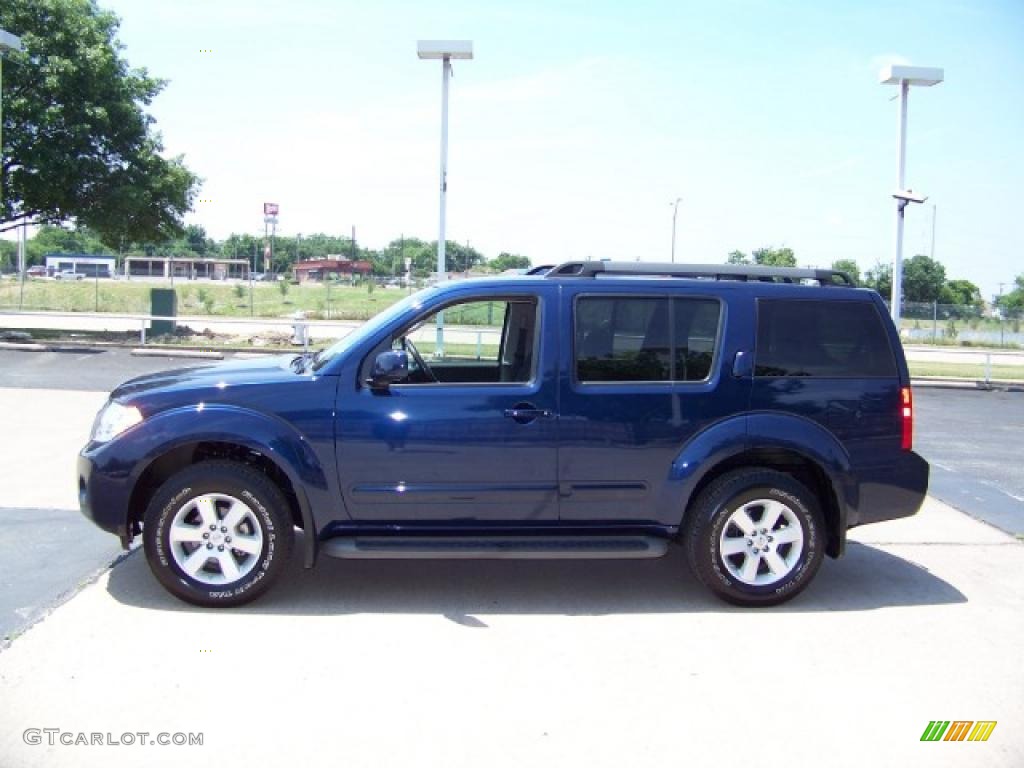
[866,579]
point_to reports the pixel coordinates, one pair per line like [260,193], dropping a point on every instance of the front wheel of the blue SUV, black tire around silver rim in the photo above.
[267,525]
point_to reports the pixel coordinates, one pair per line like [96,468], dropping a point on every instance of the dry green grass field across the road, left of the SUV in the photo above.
[320,302]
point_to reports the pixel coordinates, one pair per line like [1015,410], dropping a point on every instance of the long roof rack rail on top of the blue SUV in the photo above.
[742,273]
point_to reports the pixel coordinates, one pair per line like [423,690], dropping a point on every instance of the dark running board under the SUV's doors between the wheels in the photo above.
[499,547]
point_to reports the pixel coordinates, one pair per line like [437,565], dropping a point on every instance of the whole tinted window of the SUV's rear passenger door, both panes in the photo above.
[639,338]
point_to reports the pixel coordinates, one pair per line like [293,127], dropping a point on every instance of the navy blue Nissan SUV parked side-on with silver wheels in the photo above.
[604,410]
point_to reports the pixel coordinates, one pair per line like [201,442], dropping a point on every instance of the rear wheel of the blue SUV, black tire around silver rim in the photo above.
[713,514]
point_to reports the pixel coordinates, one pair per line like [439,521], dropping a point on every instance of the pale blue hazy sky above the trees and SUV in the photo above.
[578,124]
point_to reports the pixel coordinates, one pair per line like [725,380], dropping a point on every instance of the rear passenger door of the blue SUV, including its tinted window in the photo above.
[642,374]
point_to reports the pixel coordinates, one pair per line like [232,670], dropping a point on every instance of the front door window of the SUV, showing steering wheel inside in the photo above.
[474,343]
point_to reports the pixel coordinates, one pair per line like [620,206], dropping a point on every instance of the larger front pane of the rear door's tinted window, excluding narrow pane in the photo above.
[622,339]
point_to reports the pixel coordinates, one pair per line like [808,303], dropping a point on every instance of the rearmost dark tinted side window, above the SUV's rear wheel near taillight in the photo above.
[829,339]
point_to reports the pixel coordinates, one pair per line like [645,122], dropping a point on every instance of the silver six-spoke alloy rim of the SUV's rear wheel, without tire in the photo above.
[761,542]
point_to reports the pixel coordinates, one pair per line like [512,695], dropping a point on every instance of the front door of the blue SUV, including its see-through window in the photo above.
[471,436]
